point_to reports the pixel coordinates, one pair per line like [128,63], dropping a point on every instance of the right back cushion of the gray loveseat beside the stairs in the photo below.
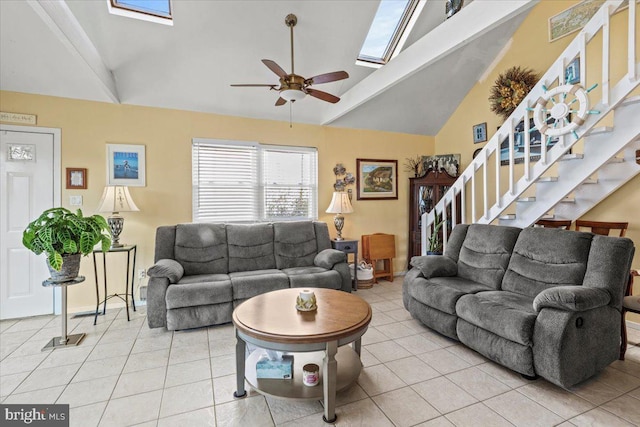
[547,257]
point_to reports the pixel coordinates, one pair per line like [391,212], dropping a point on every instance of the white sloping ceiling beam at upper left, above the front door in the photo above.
[64,25]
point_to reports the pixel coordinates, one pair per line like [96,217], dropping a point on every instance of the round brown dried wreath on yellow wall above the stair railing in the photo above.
[510,89]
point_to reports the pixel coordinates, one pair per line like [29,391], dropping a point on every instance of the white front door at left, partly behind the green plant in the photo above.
[27,188]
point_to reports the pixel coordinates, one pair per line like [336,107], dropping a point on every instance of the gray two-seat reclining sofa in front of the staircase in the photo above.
[542,302]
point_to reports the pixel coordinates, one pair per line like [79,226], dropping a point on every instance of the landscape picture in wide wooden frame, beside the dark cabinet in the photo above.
[377,179]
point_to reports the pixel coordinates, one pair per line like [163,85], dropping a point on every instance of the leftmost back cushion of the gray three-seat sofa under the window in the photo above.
[202,248]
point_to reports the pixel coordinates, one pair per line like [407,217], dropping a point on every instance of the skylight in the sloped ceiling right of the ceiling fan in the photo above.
[389,30]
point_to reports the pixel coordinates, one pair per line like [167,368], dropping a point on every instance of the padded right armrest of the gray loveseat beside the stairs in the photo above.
[571,298]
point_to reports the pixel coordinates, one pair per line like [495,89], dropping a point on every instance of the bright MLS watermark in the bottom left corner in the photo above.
[34,415]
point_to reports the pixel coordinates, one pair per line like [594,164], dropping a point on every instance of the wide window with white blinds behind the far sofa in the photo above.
[249,182]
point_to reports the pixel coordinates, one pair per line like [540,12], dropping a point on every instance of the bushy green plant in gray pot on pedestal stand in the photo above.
[64,236]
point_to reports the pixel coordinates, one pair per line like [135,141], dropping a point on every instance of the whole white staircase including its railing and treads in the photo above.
[588,162]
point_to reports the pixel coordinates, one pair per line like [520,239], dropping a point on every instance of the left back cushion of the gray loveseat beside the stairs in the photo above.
[484,255]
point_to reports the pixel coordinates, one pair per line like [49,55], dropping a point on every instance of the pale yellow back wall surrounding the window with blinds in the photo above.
[88,126]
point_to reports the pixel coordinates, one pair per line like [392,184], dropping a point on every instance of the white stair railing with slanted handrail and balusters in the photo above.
[476,177]
